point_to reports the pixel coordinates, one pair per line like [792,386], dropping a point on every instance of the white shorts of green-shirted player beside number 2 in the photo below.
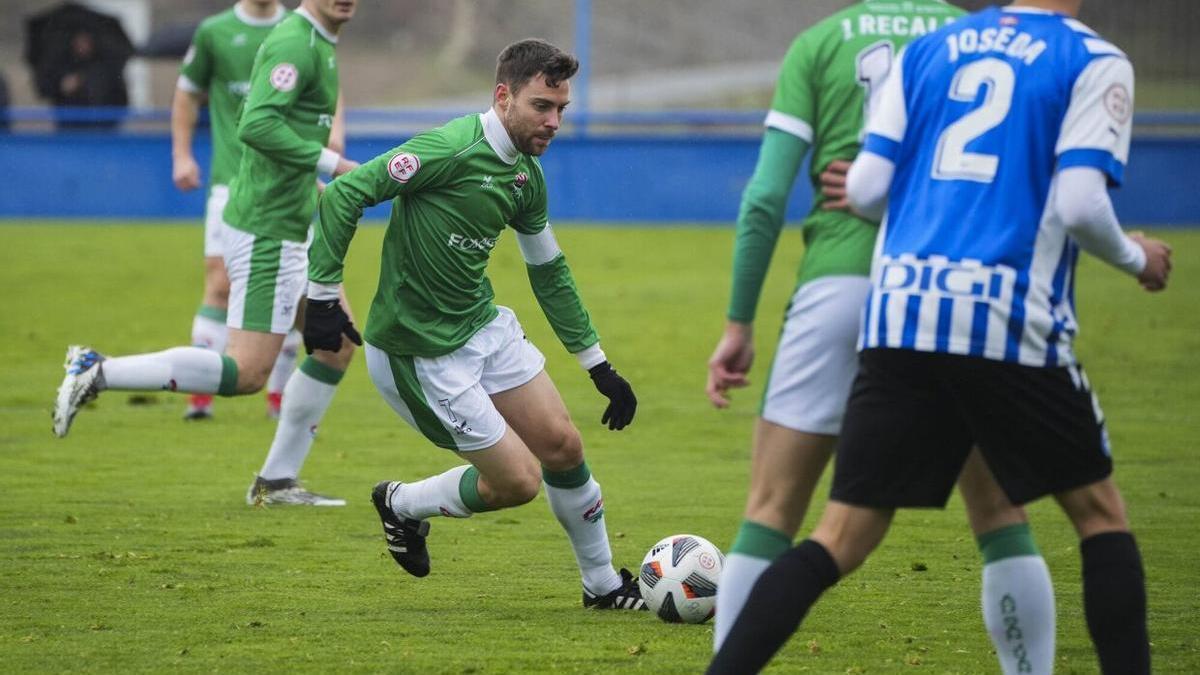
[818,356]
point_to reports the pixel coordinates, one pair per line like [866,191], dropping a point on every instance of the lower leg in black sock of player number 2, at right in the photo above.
[1114,580]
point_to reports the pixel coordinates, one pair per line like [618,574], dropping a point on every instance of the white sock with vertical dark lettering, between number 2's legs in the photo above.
[1019,613]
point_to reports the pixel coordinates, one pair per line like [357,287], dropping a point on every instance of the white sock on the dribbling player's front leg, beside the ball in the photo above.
[580,511]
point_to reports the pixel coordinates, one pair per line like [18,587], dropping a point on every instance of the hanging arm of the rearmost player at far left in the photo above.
[195,75]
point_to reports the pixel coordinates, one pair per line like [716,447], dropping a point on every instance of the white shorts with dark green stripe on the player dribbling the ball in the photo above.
[448,398]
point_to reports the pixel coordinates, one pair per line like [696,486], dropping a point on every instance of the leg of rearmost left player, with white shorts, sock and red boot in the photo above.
[209,325]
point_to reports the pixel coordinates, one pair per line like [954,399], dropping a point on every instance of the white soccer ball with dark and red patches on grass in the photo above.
[680,578]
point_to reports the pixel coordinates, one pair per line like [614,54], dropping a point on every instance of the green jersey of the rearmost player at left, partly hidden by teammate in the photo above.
[219,63]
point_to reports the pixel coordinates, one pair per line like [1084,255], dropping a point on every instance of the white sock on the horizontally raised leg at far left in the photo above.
[194,371]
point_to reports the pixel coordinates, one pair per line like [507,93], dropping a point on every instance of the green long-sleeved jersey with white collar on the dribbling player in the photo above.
[454,192]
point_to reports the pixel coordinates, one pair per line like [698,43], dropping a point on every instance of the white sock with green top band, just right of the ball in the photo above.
[753,552]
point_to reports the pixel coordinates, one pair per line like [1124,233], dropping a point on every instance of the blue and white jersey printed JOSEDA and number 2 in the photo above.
[977,118]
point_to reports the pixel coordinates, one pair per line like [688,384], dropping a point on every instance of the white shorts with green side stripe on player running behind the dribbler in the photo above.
[267,282]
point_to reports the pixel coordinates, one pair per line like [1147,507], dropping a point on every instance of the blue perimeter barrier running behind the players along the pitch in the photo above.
[657,177]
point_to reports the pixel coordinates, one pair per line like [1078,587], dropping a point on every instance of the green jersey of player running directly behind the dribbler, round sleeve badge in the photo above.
[285,126]
